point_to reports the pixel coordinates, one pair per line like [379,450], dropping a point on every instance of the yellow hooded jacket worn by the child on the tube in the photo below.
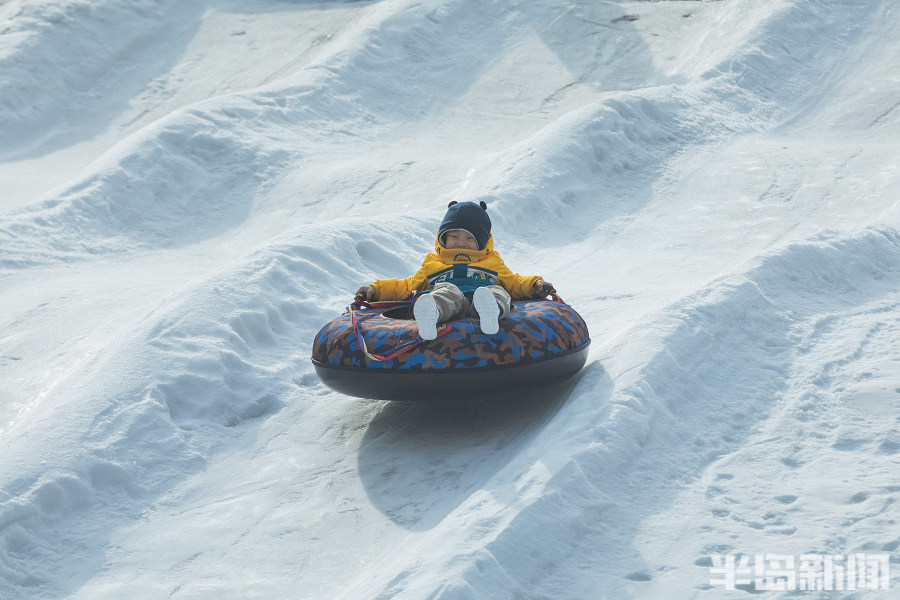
[478,266]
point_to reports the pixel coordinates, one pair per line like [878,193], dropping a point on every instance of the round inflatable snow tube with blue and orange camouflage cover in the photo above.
[541,343]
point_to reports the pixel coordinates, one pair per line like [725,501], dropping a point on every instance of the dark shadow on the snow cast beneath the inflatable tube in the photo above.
[418,461]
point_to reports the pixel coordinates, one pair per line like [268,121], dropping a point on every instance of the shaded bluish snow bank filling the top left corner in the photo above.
[44,90]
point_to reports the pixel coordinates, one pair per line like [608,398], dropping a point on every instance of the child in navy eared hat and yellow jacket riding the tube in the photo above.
[464,276]
